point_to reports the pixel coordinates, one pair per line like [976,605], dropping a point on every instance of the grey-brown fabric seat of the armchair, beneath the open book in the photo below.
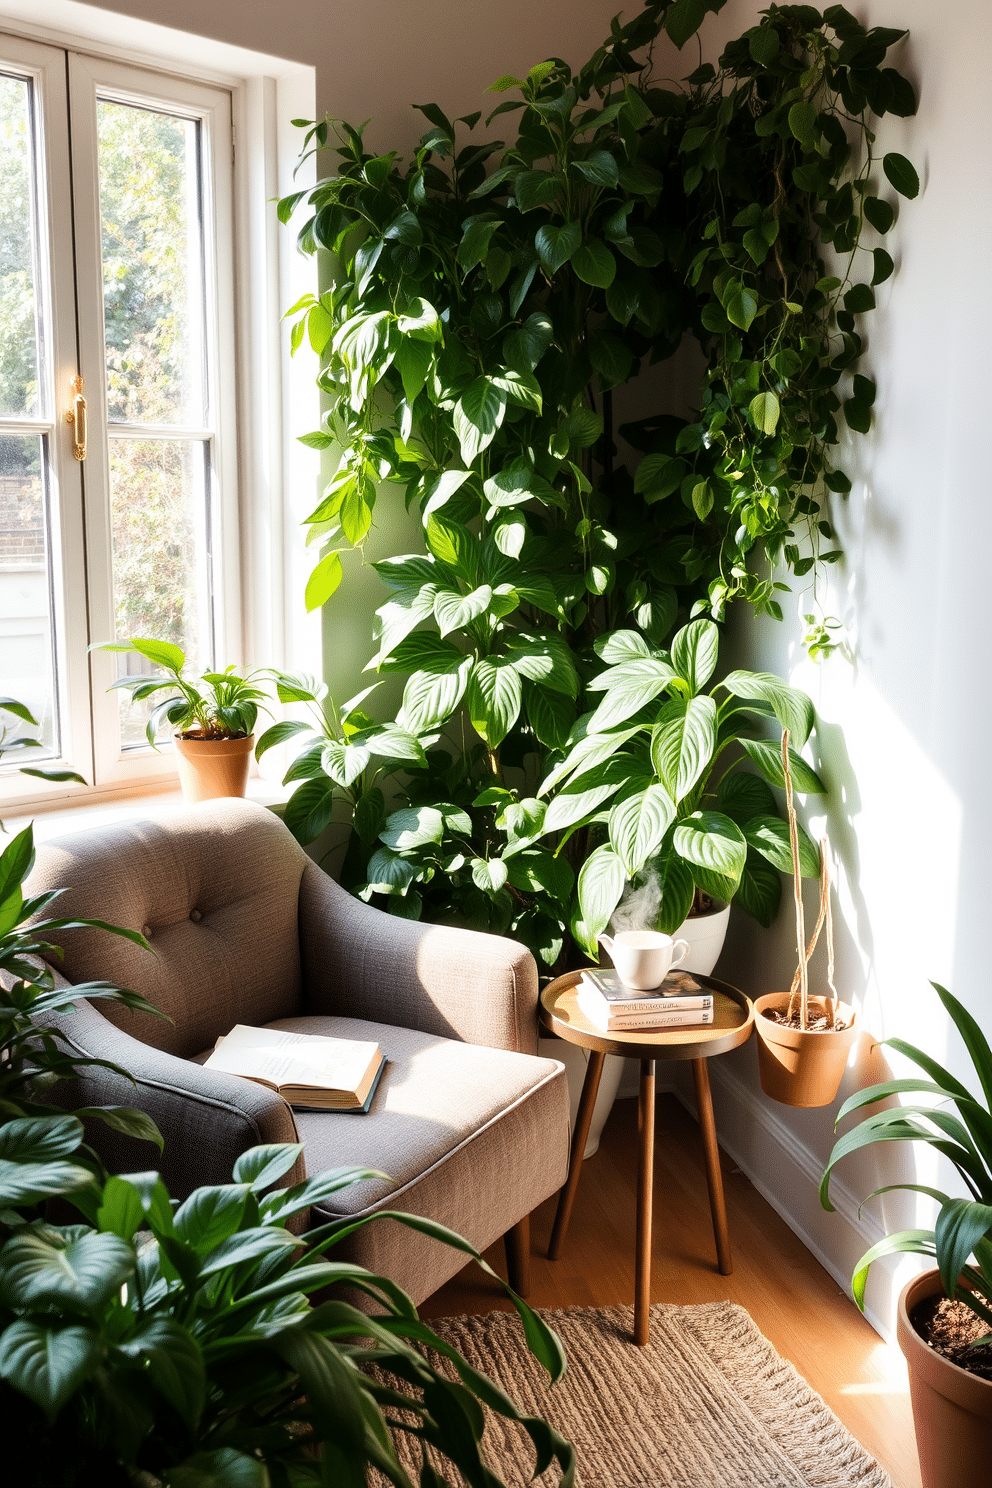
[472,1138]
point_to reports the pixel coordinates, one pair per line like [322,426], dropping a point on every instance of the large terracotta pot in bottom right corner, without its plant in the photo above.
[953,1410]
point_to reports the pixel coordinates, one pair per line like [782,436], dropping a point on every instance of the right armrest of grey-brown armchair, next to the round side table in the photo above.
[359,962]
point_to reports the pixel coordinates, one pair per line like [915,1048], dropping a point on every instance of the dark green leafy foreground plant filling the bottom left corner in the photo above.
[182,1346]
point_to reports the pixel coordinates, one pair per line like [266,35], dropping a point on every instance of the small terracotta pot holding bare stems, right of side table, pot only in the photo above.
[802,1068]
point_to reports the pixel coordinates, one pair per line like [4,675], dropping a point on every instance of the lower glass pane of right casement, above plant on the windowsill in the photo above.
[161,556]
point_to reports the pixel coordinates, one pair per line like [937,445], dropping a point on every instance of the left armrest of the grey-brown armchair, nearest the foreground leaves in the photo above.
[207,1118]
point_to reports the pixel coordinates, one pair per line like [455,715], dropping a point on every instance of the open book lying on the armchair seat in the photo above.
[312,1072]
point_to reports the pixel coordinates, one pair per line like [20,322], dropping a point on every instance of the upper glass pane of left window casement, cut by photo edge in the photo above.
[19,331]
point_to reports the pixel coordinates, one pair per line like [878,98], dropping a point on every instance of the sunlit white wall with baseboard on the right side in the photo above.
[905,709]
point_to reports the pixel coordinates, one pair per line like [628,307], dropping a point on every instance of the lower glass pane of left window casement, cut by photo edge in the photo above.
[26,606]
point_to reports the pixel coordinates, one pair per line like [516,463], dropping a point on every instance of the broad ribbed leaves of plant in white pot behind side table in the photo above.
[649,769]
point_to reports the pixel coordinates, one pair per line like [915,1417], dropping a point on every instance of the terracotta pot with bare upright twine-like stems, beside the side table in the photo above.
[805,1042]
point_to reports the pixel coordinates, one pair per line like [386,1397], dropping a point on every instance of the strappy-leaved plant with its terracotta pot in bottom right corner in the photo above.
[945,1316]
